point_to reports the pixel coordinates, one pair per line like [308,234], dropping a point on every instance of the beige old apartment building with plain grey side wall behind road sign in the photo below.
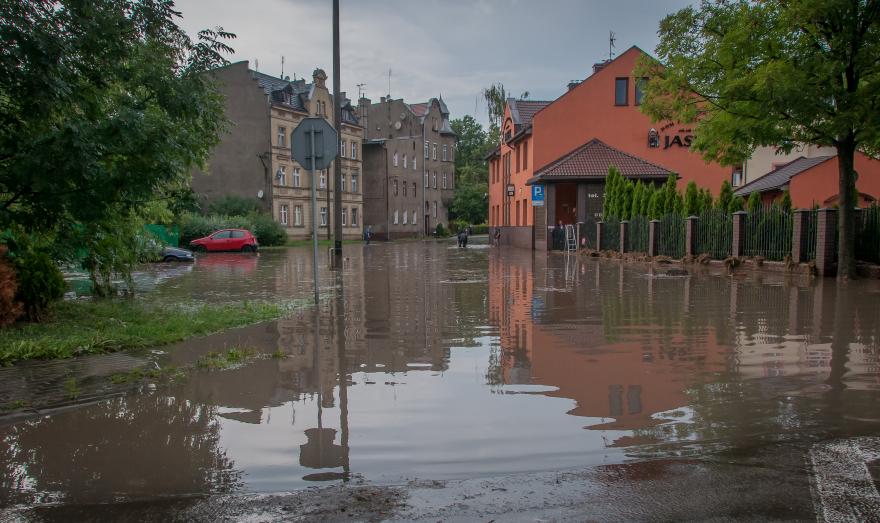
[254,159]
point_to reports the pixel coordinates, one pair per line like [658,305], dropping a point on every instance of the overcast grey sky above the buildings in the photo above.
[452,48]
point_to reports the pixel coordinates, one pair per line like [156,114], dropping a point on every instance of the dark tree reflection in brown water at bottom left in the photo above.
[138,446]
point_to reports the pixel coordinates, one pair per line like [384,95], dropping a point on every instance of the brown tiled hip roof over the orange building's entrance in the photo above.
[593,159]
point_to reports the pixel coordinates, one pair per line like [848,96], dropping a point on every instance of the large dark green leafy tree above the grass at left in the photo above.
[105,109]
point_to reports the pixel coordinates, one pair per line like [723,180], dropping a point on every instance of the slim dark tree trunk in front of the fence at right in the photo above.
[846,260]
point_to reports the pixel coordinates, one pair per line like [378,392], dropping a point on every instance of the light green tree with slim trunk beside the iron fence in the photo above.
[774,73]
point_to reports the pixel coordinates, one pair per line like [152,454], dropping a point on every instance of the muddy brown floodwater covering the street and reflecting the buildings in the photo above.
[436,363]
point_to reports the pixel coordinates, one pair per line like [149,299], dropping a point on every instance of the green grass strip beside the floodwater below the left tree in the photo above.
[90,327]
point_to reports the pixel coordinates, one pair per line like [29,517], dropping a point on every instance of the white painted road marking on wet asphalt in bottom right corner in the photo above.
[843,490]
